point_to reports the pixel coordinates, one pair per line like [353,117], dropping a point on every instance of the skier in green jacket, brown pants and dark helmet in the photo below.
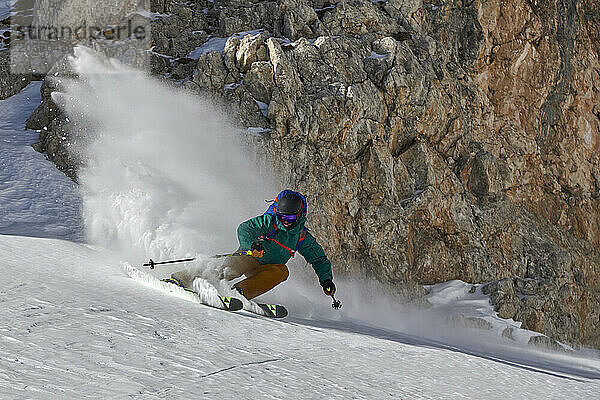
[273,238]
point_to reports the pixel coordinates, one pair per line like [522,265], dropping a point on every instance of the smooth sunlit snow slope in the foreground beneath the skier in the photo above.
[77,327]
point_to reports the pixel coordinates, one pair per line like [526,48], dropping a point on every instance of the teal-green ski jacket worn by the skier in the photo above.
[249,231]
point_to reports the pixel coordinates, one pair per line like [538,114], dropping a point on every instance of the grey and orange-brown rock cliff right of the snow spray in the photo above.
[437,140]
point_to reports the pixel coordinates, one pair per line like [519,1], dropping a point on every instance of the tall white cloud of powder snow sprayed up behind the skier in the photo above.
[165,173]
